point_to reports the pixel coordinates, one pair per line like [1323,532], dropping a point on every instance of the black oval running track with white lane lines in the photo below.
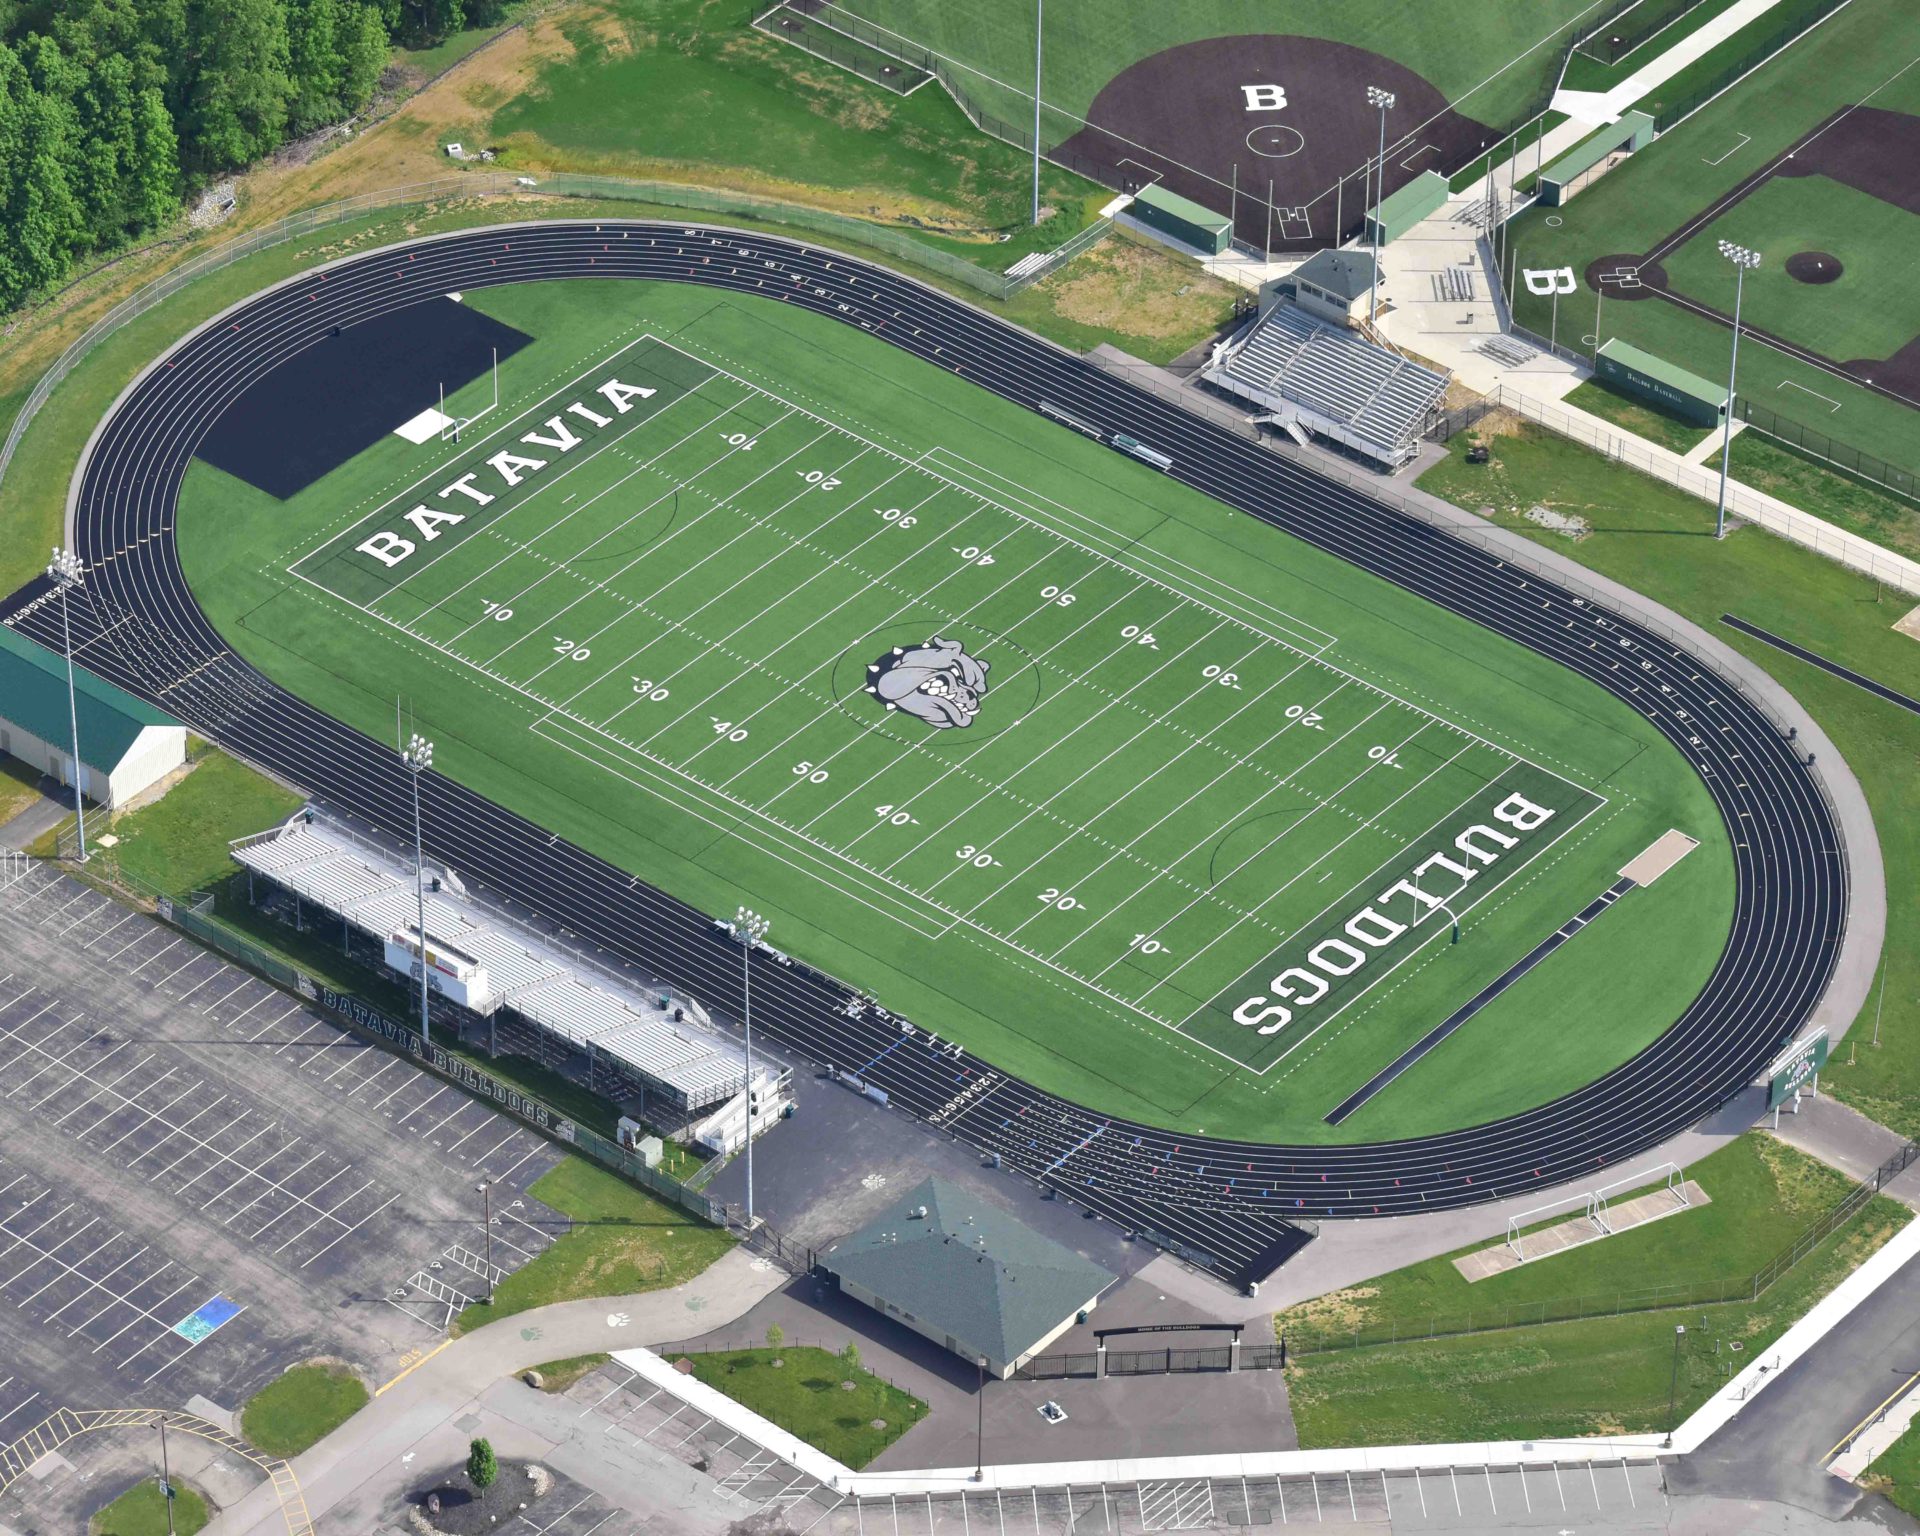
[1228,1205]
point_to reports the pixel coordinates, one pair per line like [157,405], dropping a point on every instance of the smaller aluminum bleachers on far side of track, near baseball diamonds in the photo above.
[1326,379]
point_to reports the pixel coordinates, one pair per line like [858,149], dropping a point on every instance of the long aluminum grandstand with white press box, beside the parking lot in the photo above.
[652,1049]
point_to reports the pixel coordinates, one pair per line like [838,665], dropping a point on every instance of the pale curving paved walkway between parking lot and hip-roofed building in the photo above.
[416,1418]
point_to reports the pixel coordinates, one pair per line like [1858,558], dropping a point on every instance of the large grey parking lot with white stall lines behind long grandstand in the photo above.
[203,1180]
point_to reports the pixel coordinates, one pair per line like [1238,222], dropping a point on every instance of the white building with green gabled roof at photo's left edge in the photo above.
[126,744]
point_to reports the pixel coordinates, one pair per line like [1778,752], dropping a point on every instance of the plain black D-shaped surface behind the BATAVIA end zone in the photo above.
[348,391]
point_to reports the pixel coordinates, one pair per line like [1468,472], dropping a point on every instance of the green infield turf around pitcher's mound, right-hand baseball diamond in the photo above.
[1871,312]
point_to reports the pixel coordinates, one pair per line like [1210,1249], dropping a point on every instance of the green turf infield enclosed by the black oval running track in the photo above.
[1145,750]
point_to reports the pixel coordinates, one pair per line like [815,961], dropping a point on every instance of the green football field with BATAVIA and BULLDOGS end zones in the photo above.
[1151,784]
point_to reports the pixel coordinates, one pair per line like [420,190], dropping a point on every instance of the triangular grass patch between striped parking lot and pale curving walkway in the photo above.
[623,1241]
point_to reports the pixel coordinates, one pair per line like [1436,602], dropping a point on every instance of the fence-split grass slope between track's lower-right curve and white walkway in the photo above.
[1602,1376]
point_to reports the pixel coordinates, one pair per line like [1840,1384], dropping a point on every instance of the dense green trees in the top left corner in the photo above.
[114,110]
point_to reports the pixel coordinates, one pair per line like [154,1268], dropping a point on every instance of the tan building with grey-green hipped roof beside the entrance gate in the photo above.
[967,1276]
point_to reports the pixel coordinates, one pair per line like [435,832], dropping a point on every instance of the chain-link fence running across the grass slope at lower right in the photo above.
[1318,1337]
